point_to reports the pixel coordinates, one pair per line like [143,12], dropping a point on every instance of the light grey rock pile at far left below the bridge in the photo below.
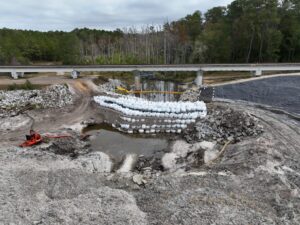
[56,96]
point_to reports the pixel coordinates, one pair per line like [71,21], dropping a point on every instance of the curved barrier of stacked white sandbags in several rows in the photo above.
[142,116]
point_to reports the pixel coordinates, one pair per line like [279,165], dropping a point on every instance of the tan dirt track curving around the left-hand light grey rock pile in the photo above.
[55,119]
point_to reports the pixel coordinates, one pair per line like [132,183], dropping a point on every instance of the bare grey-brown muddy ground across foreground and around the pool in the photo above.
[254,181]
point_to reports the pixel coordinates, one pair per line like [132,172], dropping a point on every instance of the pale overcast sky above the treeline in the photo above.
[102,14]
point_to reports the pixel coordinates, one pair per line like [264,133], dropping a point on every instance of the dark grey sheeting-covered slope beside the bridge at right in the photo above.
[278,92]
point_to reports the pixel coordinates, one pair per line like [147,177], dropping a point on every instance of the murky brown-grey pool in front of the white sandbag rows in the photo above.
[117,145]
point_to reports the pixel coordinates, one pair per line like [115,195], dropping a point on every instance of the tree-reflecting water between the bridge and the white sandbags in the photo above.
[161,86]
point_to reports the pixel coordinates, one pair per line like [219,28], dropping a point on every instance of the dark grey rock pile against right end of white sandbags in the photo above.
[224,124]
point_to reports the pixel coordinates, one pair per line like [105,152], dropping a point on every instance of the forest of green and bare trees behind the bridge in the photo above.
[246,31]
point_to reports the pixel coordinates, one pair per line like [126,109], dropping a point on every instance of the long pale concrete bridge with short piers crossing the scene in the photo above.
[75,70]
